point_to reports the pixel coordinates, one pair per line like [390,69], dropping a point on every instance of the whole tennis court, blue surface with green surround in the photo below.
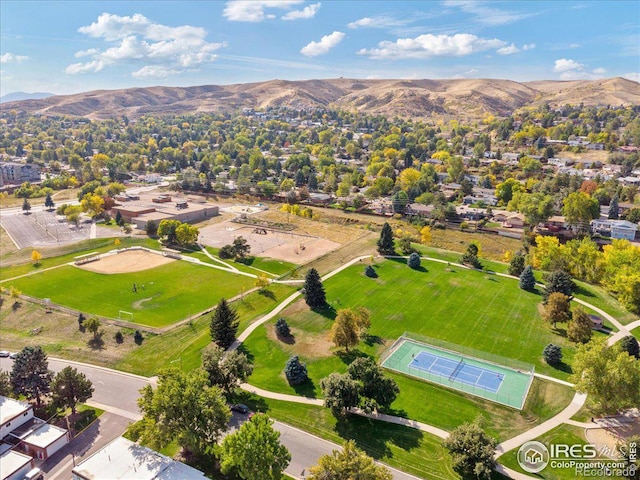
[460,368]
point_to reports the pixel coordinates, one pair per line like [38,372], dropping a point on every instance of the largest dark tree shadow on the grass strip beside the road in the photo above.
[375,437]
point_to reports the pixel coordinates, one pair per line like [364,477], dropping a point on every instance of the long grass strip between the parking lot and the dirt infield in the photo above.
[61,255]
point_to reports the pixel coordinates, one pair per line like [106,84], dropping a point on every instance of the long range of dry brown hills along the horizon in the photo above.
[464,99]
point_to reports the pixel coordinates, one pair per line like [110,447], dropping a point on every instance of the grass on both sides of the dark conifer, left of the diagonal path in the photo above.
[182,346]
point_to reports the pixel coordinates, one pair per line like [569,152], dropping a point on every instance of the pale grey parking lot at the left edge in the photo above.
[41,229]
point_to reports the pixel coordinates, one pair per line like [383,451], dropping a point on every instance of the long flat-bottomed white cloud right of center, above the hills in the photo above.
[424,46]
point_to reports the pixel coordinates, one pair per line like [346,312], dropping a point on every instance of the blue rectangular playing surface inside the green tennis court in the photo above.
[458,371]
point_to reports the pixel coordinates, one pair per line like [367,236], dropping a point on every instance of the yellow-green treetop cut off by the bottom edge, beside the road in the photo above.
[348,463]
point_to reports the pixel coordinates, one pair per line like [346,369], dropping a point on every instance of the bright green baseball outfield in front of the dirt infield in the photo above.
[165,294]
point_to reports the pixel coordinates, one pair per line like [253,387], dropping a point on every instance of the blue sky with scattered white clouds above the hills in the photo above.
[74,46]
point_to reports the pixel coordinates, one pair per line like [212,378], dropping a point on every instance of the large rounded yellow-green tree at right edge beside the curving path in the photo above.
[608,375]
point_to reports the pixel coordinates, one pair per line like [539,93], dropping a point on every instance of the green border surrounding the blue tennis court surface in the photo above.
[518,376]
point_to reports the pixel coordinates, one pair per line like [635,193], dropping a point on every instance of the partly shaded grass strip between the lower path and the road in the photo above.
[404,448]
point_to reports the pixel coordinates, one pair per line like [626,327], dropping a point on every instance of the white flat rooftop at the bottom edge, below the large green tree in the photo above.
[123,459]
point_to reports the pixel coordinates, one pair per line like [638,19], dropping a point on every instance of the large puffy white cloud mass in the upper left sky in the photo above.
[162,50]
